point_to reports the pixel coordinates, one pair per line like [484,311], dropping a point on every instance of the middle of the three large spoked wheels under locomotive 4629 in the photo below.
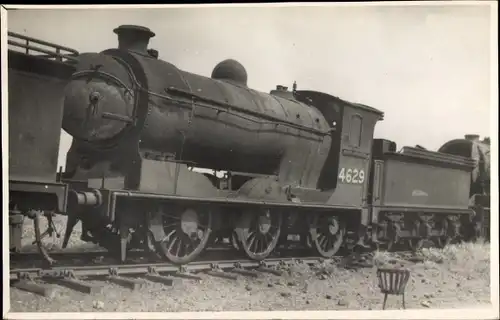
[259,233]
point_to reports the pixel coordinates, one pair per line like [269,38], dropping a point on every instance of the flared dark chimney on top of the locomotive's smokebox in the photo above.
[134,38]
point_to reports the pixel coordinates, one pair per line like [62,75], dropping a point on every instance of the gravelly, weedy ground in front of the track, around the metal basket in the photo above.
[456,276]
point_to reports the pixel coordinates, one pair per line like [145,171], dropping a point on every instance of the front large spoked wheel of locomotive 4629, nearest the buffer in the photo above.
[187,235]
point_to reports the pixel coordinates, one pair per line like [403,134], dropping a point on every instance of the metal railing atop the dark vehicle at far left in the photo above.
[29,45]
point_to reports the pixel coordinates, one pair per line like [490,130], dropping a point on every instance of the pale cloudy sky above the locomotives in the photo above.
[427,67]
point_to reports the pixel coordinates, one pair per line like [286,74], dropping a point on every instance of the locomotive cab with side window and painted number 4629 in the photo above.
[351,130]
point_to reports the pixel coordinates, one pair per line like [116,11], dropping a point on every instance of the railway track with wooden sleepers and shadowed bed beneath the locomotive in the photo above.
[89,271]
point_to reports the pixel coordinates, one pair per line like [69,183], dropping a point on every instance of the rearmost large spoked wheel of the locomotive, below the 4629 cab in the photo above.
[327,234]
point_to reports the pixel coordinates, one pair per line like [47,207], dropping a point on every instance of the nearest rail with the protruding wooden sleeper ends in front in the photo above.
[133,276]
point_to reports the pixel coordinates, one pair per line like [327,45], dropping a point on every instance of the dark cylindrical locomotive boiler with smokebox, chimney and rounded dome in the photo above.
[217,123]
